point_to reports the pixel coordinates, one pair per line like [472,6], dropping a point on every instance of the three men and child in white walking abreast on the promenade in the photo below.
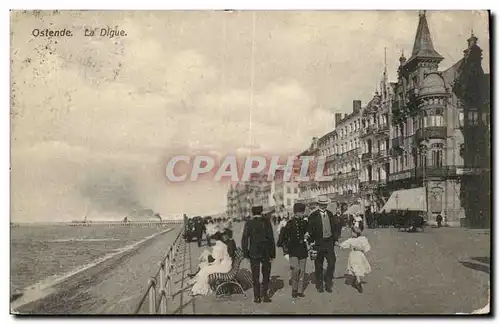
[314,236]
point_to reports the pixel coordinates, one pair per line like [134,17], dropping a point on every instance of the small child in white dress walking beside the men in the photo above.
[357,265]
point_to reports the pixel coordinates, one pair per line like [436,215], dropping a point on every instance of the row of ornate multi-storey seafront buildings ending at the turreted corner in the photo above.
[430,129]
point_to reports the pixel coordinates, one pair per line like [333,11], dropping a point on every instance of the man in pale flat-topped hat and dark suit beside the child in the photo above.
[324,229]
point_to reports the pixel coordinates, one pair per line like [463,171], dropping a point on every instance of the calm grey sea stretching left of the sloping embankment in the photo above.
[42,252]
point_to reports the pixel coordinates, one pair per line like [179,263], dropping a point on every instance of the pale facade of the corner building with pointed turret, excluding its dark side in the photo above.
[426,132]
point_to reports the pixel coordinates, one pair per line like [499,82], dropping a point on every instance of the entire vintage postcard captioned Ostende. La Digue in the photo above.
[250,162]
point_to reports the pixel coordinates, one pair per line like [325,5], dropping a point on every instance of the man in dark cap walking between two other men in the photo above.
[292,241]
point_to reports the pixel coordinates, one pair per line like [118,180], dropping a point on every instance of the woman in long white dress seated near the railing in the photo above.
[219,262]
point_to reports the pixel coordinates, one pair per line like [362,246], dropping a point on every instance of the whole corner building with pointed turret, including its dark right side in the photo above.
[431,125]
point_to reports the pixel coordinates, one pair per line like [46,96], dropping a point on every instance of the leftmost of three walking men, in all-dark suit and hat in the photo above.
[257,243]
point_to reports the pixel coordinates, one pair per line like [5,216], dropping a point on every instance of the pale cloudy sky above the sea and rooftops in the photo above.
[94,119]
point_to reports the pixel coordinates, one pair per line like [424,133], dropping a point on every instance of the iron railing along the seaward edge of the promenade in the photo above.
[159,290]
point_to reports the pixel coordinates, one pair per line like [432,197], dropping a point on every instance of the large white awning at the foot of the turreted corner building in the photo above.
[409,199]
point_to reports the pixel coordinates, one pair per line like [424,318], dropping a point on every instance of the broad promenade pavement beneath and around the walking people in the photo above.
[438,271]
